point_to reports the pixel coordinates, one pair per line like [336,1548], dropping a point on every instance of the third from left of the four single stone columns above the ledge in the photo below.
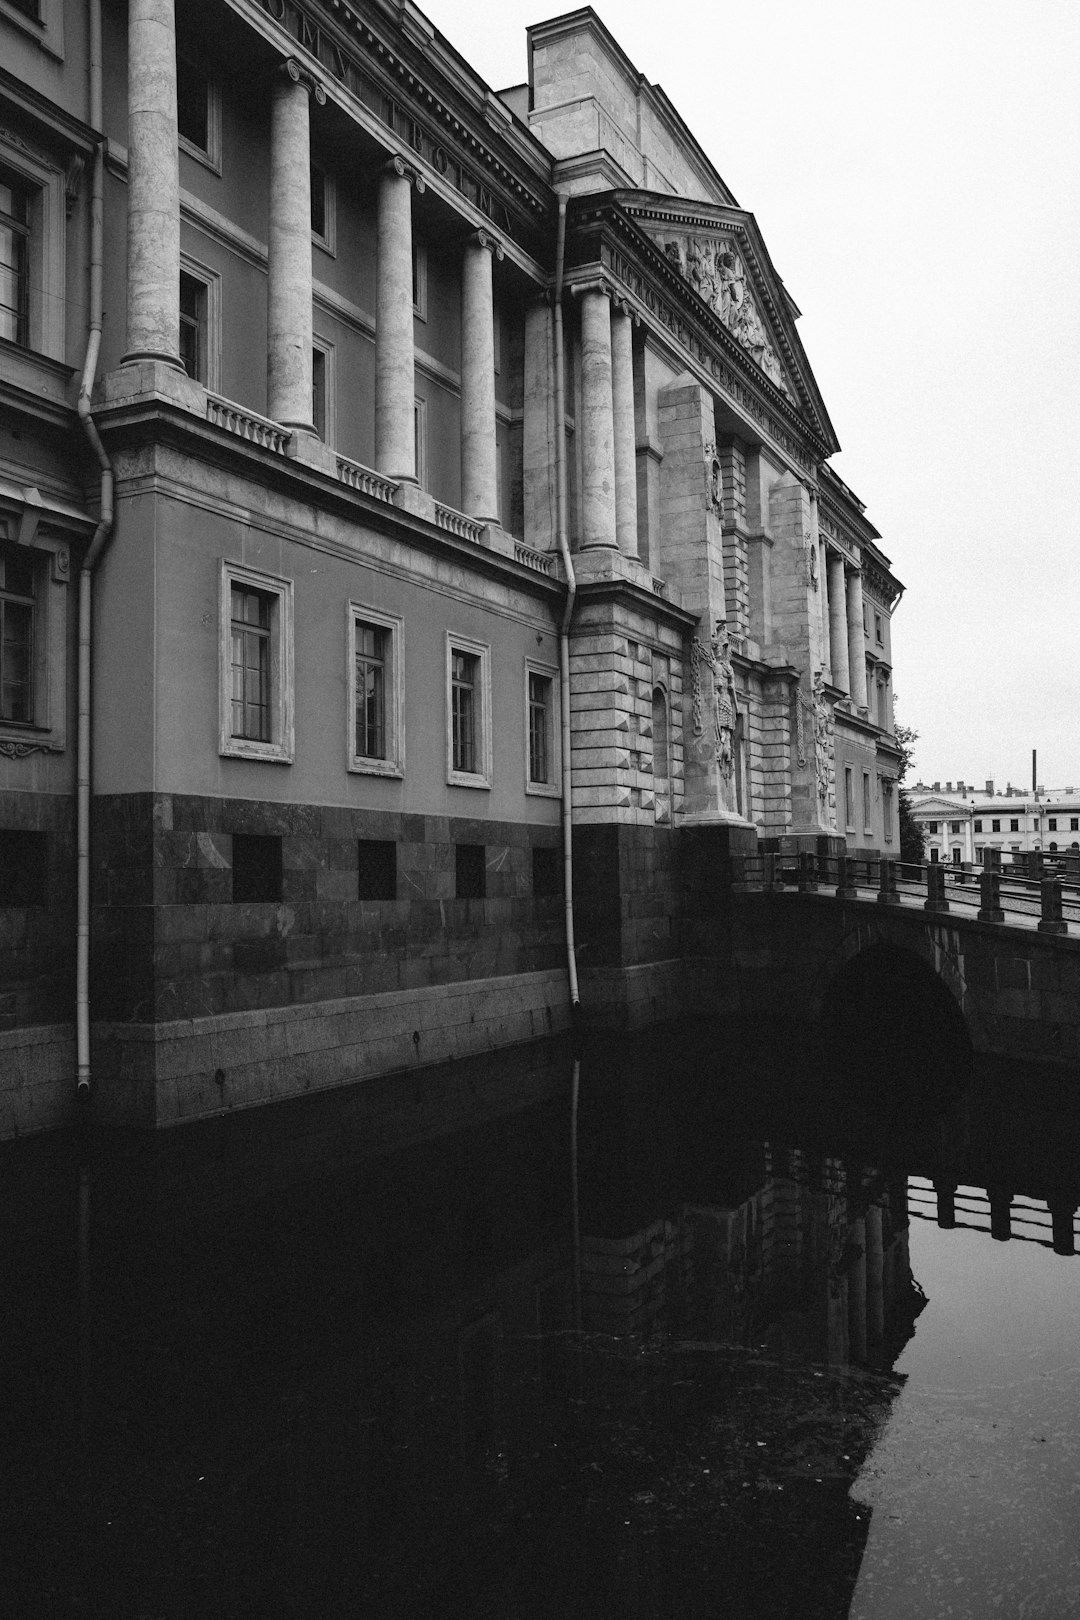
[396,391]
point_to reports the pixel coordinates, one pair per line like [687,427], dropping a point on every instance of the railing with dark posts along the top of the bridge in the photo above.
[1045,893]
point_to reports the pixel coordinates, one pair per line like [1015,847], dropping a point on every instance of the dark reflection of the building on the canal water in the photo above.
[326,1360]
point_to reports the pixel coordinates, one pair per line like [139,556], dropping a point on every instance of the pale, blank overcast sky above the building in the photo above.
[916,174]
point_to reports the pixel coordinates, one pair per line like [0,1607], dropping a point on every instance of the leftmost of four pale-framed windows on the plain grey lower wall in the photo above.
[257,660]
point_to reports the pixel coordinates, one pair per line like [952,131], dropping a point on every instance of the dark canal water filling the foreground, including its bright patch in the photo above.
[674,1331]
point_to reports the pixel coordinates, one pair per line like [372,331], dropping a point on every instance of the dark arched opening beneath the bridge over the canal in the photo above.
[893,1008]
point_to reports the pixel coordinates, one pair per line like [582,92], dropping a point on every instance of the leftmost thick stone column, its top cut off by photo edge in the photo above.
[153,185]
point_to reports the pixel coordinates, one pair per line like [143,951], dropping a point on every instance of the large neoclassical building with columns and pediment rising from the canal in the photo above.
[420,565]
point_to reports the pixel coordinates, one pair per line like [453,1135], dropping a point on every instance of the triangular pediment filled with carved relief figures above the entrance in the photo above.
[721,255]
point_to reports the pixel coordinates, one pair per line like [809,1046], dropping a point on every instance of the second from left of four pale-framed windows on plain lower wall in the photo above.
[375,652]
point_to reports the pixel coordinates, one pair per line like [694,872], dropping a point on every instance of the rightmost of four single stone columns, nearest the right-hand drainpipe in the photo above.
[480,487]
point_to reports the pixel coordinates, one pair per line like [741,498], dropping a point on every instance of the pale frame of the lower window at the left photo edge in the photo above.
[53,573]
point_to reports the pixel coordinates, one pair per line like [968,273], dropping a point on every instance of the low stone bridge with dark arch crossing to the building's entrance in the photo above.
[912,965]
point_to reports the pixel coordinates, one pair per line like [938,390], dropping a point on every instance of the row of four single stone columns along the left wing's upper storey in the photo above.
[153,330]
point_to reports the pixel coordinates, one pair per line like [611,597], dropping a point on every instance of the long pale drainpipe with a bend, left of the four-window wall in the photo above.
[96,547]
